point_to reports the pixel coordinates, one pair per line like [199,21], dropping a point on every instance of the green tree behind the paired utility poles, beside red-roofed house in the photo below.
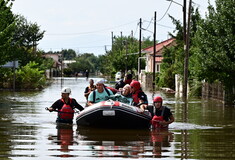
[173,62]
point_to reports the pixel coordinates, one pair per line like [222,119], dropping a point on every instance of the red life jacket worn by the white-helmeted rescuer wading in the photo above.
[66,112]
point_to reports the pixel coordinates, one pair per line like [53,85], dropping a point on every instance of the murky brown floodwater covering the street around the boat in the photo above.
[202,130]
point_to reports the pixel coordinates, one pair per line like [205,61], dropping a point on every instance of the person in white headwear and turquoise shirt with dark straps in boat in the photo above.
[100,94]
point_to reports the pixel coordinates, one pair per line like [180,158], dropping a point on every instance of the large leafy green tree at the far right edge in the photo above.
[214,57]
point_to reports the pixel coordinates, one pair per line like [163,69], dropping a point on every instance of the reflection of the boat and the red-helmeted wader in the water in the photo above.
[125,143]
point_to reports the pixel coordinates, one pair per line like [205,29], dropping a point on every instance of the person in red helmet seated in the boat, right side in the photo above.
[139,97]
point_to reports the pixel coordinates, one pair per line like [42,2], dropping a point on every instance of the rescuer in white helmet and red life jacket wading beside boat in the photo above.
[65,107]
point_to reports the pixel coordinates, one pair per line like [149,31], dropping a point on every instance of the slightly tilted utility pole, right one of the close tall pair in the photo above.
[186,58]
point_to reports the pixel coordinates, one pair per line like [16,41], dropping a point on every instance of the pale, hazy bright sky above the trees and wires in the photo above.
[86,25]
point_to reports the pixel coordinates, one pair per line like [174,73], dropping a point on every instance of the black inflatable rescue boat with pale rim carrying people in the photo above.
[113,114]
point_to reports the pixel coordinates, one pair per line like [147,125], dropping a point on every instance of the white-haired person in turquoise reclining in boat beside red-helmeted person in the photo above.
[125,96]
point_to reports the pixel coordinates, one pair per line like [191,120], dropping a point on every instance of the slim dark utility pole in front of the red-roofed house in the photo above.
[154,49]
